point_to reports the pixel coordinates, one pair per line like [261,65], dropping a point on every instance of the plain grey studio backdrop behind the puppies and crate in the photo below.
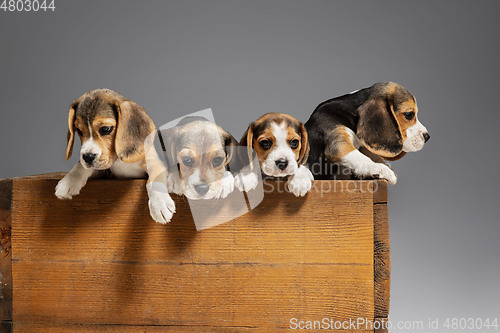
[246,58]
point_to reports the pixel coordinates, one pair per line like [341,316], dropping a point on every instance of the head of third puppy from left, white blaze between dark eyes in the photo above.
[280,142]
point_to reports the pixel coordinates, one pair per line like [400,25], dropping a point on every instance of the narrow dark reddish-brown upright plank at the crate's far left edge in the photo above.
[5,255]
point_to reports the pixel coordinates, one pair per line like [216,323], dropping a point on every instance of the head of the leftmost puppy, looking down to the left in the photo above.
[110,127]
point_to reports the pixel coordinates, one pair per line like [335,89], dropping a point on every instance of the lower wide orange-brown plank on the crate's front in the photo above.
[257,295]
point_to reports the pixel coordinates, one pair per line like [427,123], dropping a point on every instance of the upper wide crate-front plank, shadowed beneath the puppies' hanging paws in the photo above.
[114,226]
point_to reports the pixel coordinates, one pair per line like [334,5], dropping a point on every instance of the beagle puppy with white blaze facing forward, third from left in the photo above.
[281,145]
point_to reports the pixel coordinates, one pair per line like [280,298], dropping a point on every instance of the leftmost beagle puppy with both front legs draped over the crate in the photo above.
[116,135]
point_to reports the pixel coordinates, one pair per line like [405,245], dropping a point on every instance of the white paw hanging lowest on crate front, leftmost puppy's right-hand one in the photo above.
[161,205]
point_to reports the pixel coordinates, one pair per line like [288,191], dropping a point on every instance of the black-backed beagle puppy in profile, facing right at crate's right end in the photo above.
[360,130]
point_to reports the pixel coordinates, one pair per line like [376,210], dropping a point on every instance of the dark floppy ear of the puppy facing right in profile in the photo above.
[378,129]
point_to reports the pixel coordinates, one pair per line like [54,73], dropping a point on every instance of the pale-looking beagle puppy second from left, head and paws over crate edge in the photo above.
[199,154]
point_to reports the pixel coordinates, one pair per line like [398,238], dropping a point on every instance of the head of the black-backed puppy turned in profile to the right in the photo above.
[388,125]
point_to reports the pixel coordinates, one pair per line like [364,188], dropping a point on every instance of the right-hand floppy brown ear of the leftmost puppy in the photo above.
[132,129]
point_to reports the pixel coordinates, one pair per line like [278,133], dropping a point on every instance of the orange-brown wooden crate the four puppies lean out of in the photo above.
[99,263]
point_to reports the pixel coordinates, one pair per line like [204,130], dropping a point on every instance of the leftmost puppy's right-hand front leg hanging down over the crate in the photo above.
[161,205]
